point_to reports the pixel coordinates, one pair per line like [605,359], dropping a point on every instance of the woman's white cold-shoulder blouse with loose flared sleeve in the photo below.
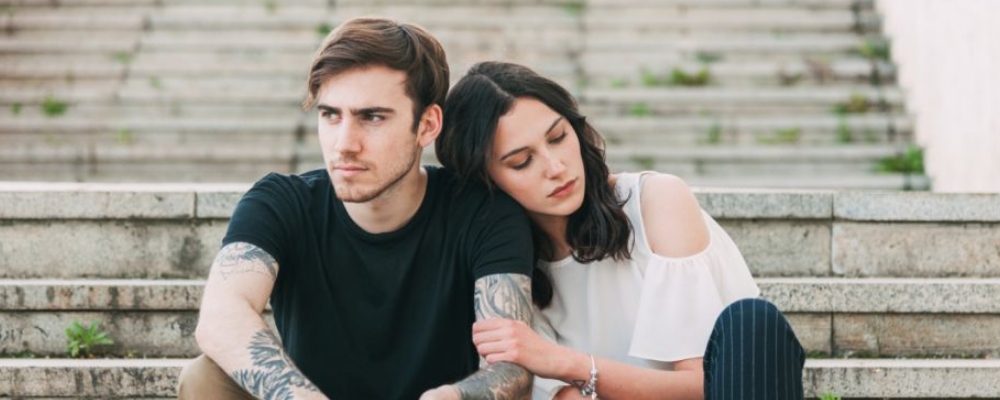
[648,311]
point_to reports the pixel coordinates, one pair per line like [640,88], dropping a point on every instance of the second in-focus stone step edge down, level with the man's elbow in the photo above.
[791,295]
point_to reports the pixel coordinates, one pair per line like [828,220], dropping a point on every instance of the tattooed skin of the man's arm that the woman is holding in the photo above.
[500,296]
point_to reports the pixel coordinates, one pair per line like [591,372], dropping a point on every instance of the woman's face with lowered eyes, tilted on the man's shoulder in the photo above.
[536,159]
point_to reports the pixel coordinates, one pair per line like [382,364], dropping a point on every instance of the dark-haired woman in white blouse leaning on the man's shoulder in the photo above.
[632,280]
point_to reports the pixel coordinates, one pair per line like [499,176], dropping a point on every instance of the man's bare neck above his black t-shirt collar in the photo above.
[392,209]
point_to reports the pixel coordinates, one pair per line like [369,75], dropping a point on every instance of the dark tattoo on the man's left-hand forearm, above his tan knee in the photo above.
[272,375]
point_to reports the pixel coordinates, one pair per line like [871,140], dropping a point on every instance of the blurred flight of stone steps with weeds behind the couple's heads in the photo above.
[759,93]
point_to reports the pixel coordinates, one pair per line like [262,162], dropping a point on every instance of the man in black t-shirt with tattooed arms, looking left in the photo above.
[375,267]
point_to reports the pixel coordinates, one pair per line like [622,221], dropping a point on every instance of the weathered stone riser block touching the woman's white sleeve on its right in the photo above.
[782,248]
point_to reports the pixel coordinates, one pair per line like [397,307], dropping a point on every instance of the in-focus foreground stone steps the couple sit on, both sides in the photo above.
[894,295]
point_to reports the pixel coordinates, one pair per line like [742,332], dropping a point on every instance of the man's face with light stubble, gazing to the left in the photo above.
[365,132]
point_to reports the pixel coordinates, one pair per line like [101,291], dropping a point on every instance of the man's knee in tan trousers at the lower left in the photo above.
[203,379]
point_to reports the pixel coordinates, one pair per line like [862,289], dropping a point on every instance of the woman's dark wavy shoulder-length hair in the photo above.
[599,228]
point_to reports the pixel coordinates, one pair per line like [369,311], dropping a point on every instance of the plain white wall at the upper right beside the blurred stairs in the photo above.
[948,55]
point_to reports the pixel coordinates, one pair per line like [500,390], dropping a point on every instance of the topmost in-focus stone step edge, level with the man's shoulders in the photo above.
[47,201]
